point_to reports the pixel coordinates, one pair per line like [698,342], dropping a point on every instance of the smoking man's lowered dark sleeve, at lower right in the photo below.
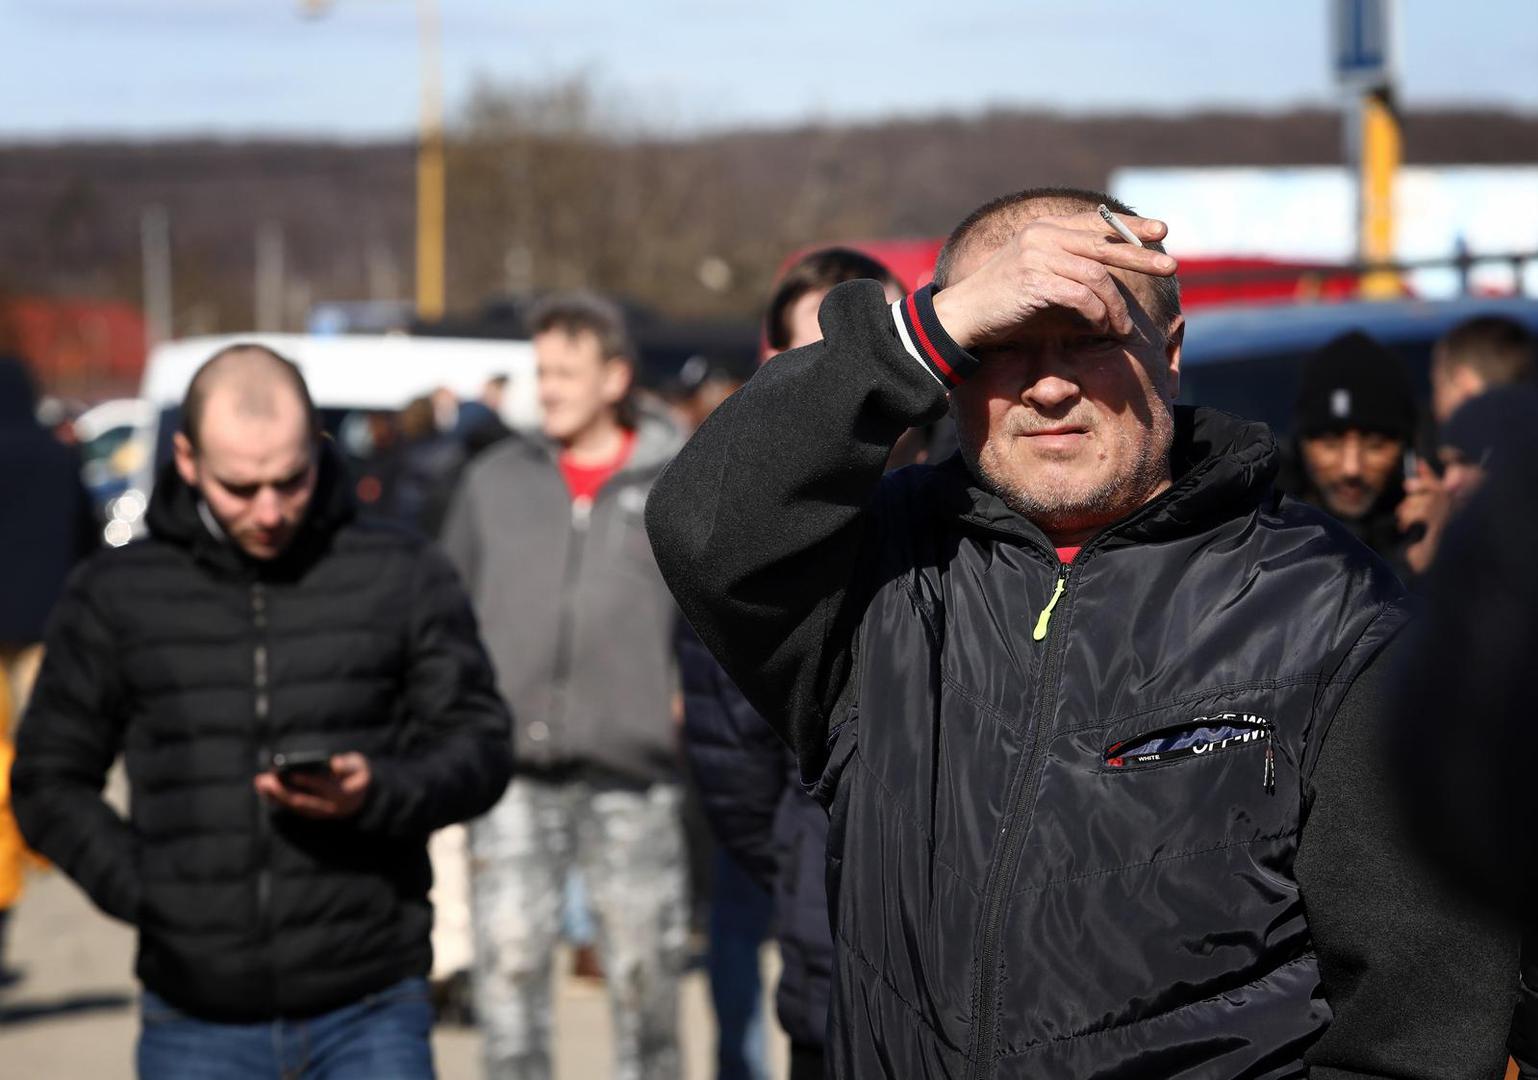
[1420,984]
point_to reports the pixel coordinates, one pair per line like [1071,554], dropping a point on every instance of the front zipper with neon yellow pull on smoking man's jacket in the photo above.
[1013,838]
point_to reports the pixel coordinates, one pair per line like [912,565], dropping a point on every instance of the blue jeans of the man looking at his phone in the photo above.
[382,1038]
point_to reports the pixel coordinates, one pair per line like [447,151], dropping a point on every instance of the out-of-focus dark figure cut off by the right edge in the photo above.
[1471,798]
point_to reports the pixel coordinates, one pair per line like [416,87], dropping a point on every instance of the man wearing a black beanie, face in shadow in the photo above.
[1356,418]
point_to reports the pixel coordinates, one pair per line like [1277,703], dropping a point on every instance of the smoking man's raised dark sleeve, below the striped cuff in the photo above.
[761,522]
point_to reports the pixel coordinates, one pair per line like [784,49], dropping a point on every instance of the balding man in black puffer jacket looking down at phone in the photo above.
[284,915]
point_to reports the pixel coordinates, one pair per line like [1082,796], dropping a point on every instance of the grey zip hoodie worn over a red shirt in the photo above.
[573,610]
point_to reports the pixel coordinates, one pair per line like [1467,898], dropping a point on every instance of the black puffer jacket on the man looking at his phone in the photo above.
[199,664]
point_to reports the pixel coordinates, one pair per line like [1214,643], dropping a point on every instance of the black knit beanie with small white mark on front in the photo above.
[1354,382]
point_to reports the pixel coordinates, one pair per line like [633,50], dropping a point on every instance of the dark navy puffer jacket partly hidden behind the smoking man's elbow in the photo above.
[759,812]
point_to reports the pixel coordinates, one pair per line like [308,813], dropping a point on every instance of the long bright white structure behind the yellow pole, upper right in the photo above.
[1311,215]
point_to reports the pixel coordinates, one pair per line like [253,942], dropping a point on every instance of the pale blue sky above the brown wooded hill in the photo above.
[258,67]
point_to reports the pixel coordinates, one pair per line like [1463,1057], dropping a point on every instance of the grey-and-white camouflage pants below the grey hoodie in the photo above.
[630,848]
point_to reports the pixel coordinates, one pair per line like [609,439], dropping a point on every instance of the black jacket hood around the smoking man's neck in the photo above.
[1220,465]
